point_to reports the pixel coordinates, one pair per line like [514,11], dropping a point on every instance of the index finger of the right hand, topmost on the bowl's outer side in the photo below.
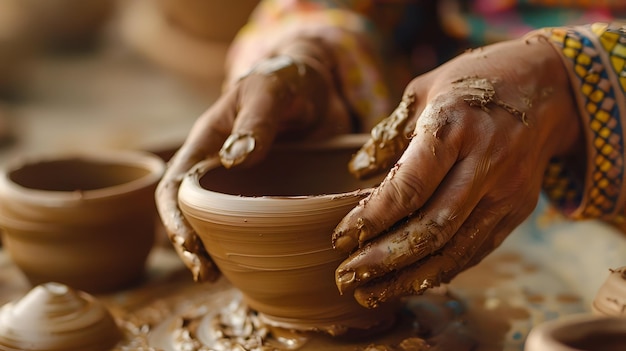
[413,179]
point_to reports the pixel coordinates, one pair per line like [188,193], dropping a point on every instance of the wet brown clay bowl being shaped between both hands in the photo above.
[268,228]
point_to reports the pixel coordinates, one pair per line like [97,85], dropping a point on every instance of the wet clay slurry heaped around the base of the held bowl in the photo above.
[195,320]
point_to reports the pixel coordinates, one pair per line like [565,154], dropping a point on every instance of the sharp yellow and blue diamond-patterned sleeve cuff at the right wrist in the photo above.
[595,56]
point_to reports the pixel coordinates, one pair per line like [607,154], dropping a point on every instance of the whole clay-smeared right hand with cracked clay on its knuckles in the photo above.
[467,149]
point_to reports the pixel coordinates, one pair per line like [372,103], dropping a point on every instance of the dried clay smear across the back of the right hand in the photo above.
[481,93]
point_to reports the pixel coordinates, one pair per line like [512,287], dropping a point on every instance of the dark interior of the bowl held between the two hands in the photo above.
[291,171]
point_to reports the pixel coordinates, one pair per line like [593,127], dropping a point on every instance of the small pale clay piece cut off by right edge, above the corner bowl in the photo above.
[610,300]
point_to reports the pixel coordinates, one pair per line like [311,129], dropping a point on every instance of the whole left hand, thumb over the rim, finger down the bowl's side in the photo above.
[289,95]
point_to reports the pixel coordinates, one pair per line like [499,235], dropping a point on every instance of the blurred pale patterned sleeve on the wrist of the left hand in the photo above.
[340,23]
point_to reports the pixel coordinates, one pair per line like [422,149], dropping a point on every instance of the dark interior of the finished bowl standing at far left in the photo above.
[75,174]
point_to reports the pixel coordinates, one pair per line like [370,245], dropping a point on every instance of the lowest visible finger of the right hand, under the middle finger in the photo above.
[439,268]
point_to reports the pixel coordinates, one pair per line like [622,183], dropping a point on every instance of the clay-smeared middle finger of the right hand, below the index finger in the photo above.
[423,233]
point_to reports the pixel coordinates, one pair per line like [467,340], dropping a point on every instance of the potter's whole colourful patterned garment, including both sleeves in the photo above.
[411,37]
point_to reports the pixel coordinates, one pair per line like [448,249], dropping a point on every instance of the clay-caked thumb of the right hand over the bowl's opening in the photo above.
[388,139]
